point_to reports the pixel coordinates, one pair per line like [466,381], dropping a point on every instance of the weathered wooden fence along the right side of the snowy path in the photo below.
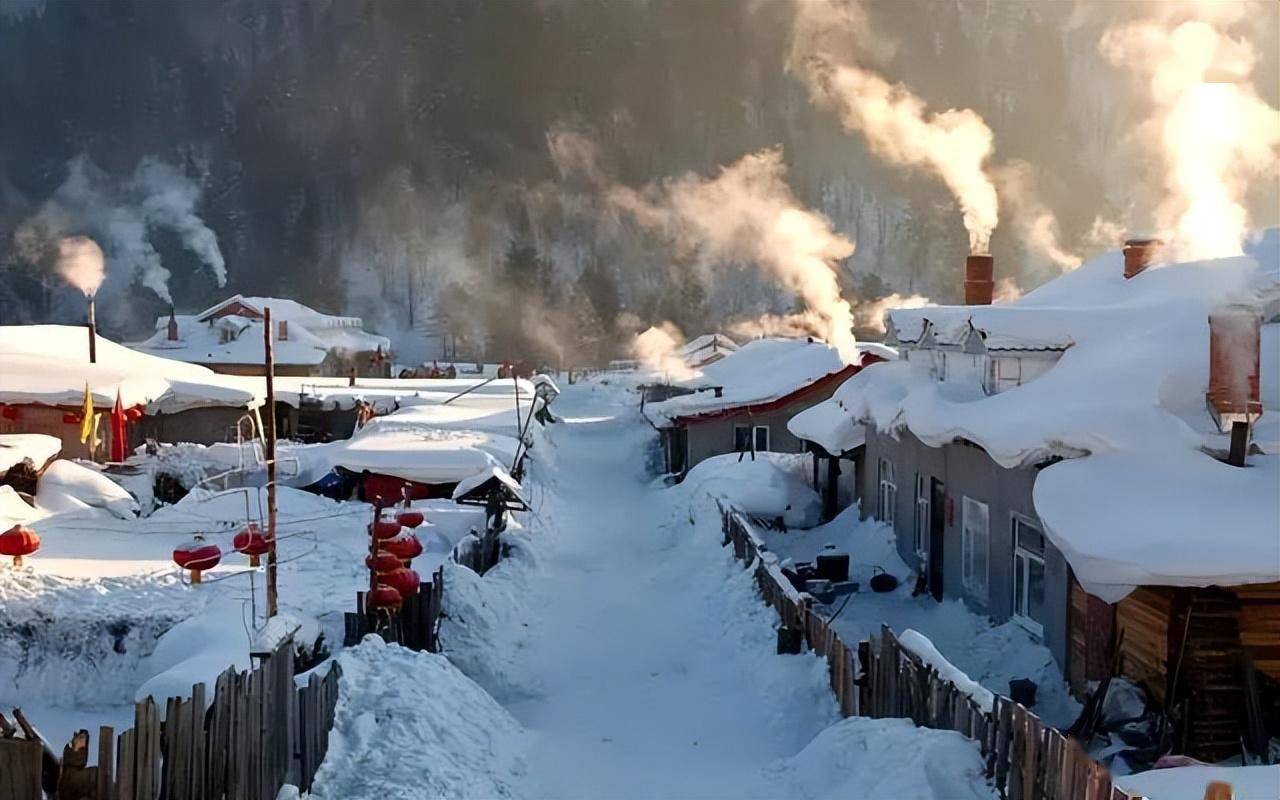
[1027,760]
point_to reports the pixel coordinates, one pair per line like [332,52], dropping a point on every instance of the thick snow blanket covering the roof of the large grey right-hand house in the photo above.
[1144,502]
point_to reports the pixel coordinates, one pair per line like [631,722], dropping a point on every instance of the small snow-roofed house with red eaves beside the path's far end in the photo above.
[742,403]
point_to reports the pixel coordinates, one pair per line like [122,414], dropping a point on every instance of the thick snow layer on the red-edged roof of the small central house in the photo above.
[761,372]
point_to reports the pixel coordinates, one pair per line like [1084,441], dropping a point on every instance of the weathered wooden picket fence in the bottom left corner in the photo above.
[258,734]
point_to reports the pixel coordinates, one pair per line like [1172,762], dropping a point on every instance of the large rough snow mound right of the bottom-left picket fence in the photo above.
[409,726]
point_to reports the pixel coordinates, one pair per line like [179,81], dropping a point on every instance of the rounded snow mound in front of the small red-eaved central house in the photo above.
[769,487]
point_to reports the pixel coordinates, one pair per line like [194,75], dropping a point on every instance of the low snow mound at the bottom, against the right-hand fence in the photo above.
[885,758]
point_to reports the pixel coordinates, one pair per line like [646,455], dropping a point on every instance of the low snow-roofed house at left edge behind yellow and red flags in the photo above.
[45,372]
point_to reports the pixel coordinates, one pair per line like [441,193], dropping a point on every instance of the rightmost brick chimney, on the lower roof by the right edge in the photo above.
[1235,359]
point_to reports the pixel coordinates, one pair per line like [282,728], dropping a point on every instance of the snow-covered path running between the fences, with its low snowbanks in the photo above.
[637,656]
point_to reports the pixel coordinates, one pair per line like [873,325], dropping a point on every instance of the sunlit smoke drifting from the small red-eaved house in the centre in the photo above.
[747,214]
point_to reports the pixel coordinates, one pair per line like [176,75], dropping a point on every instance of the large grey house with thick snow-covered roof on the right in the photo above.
[1068,461]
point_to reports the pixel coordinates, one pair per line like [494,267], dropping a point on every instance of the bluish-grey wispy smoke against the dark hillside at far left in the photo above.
[122,214]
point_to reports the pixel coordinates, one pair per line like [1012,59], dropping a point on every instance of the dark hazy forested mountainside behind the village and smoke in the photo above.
[391,159]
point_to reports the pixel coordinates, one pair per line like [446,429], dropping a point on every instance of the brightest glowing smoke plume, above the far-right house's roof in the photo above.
[1213,131]
